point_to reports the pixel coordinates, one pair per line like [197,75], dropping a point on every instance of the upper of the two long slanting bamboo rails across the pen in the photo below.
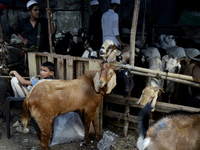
[174,75]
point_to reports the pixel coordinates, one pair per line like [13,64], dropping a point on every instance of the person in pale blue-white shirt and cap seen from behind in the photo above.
[110,24]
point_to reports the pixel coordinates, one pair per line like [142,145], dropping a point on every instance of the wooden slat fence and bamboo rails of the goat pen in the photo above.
[69,67]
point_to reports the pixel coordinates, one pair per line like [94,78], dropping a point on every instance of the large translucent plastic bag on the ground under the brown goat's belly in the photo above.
[67,128]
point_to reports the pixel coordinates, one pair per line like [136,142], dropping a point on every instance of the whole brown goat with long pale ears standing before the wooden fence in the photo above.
[55,97]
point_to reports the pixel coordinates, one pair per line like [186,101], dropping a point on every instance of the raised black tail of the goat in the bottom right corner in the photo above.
[144,116]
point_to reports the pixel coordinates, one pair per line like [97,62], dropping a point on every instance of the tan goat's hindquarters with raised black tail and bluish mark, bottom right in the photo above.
[176,131]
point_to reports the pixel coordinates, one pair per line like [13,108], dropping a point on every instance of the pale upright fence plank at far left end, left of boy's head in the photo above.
[32,64]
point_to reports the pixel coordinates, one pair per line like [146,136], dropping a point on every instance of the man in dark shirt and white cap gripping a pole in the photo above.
[33,31]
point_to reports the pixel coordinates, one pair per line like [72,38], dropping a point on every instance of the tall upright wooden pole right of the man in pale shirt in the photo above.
[132,57]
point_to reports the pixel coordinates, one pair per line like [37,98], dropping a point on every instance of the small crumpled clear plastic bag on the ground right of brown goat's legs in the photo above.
[109,138]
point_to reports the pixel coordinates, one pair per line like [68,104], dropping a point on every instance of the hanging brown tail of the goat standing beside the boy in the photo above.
[26,113]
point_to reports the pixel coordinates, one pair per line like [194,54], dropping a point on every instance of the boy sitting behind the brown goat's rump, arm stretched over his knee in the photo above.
[19,84]
